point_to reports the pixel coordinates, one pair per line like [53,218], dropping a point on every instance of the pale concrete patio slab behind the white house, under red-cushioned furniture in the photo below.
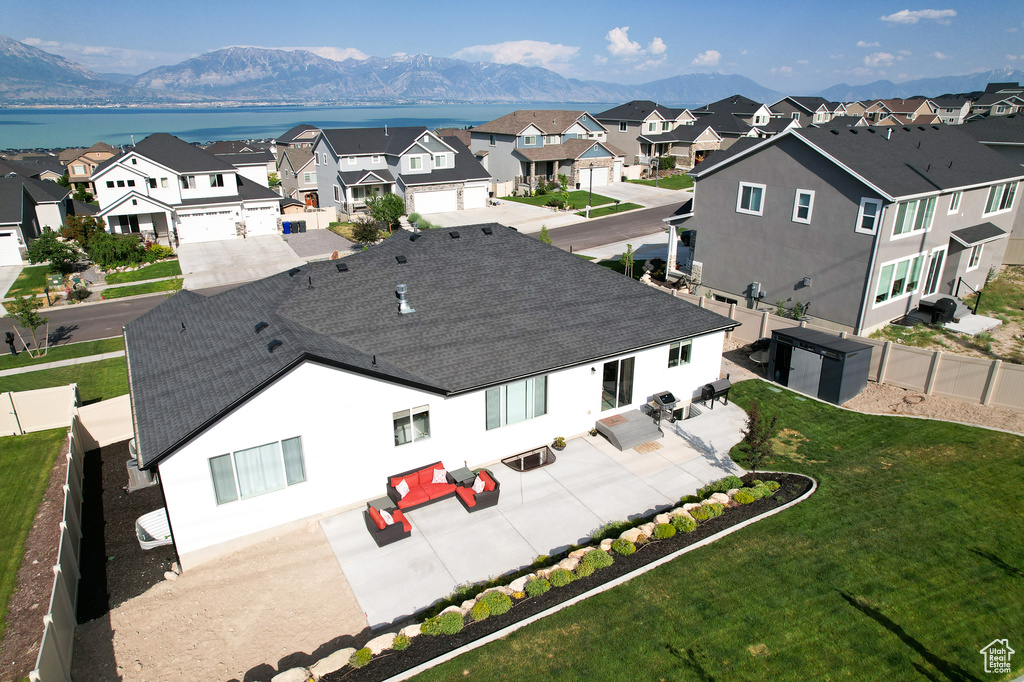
[540,513]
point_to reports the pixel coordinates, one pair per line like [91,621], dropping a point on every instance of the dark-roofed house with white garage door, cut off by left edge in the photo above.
[27,207]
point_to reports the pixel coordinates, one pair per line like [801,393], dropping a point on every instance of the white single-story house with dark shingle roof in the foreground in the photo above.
[295,397]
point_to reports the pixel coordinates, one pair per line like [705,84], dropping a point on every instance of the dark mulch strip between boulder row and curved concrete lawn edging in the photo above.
[426,648]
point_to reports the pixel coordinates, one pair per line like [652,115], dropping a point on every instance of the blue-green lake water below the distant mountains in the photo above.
[52,129]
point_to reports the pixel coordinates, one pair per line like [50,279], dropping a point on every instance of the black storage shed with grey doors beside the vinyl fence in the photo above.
[821,365]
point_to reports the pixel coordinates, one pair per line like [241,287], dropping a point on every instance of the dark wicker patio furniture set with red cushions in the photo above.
[386,518]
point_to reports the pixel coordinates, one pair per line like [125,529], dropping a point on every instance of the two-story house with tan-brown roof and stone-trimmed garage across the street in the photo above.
[530,146]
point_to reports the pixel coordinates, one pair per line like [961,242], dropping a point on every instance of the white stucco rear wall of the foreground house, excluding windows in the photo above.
[346,421]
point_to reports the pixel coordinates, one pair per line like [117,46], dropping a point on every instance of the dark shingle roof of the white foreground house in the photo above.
[490,309]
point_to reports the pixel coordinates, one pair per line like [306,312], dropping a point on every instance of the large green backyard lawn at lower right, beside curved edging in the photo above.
[908,561]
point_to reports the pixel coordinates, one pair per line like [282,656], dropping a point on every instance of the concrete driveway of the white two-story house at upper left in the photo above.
[232,262]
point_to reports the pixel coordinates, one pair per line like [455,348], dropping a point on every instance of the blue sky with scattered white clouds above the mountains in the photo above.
[789,47]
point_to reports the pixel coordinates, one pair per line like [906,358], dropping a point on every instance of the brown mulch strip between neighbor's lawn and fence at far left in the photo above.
[31,600]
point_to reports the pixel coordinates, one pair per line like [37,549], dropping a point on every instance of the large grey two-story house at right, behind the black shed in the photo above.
[860,224]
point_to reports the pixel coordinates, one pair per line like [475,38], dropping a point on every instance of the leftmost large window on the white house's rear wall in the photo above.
[259,471]
